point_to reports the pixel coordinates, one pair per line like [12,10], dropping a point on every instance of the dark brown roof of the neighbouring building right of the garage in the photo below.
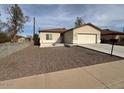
[111,32]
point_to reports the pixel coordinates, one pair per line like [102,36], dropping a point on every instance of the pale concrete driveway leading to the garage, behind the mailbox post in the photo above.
[106,48]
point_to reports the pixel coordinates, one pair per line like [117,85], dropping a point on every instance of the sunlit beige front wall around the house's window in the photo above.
[55,39]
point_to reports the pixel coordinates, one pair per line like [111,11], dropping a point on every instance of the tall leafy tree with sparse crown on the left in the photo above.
[16,21]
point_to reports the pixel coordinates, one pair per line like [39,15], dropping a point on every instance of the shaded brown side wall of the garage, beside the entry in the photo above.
[68,37]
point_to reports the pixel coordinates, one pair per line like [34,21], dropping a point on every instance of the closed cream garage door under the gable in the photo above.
[86,39]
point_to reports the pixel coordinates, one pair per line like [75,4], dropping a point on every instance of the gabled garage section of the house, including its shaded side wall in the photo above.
[85,34]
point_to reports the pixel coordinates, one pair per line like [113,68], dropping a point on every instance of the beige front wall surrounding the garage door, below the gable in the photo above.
[86,30]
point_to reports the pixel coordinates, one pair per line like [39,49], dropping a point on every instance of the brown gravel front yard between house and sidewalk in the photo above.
[33,60]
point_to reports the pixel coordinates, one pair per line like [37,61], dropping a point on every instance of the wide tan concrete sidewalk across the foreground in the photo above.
[107,75]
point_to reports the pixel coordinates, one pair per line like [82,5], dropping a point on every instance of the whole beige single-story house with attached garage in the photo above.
[85,34]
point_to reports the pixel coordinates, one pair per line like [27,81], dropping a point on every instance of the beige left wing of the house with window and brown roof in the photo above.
[51,37]
